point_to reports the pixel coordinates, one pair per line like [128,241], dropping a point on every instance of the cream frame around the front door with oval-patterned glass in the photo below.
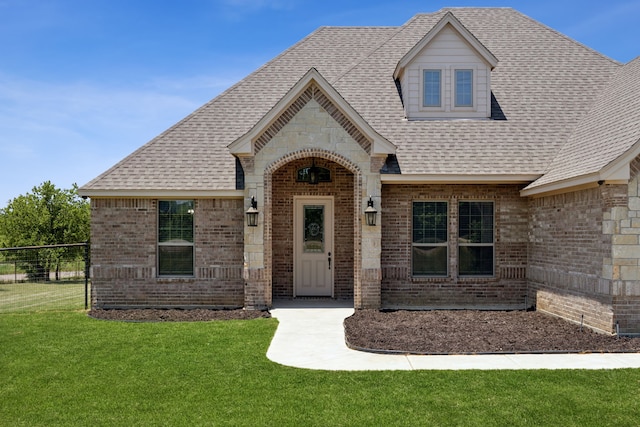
[329,231]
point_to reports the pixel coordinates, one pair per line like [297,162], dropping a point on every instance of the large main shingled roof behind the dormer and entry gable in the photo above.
[543,86]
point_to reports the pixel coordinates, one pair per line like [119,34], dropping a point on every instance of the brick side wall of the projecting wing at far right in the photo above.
[567,249]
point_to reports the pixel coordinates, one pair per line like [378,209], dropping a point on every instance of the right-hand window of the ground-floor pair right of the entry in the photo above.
[476,240]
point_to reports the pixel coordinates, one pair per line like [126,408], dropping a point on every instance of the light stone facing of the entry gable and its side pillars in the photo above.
[315,129]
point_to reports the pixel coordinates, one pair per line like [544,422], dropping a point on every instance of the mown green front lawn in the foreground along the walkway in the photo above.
[63,368]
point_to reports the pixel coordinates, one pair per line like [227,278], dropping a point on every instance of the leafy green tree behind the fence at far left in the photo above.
[46,216]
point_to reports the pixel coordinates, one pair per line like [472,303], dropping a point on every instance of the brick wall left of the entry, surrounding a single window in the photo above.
[123,256]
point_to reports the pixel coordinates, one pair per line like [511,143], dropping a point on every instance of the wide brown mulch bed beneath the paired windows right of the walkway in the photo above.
[471,331]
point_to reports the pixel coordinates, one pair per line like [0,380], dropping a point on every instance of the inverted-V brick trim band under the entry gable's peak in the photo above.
[315,93]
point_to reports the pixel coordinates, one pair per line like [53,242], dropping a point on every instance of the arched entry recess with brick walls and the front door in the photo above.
[333,196]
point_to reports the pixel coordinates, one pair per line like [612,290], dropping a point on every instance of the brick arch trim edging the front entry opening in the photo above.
[357,193]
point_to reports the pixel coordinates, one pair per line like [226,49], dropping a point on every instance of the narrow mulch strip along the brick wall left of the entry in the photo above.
[176,315]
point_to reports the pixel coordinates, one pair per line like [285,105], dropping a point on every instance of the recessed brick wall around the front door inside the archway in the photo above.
[285,188]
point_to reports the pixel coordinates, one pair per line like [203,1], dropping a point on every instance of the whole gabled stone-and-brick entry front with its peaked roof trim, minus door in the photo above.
[311,122]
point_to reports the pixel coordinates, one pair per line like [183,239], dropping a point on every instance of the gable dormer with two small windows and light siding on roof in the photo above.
[447,74]
